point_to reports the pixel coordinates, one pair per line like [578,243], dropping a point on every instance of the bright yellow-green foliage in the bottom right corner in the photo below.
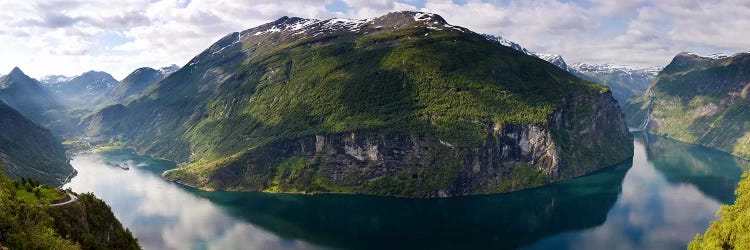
[732,229]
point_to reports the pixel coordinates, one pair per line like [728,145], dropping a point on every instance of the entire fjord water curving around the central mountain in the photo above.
[668,192]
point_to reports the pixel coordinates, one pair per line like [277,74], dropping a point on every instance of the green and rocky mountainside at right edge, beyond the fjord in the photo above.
[699,99]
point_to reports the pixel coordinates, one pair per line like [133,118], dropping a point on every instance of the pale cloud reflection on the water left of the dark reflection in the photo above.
[161,214]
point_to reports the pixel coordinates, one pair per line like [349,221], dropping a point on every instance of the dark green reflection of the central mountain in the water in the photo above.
[492,221]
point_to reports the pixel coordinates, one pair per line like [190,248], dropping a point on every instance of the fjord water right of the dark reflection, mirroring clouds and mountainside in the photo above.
[662,205]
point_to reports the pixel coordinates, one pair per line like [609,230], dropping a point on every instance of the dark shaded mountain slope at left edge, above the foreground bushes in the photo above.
[29,150]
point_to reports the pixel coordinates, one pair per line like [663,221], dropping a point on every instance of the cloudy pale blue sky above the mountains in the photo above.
[69,37]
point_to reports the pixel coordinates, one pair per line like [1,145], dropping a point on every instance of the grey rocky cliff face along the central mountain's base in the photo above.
[512,157]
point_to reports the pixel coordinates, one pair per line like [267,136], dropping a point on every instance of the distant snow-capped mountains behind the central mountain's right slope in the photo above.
[626,81]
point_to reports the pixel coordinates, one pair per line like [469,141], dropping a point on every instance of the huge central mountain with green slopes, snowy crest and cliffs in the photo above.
[404,105]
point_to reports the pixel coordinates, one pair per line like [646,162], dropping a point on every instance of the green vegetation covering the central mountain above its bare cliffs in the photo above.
[268,89]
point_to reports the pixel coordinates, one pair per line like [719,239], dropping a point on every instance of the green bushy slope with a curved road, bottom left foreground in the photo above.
[26,222]
